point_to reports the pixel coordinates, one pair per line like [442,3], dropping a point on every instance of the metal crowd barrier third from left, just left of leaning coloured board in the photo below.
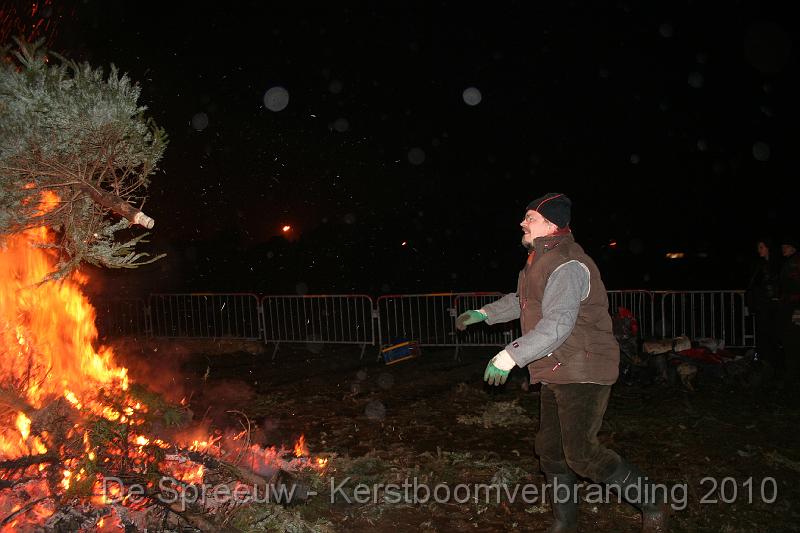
[342,319]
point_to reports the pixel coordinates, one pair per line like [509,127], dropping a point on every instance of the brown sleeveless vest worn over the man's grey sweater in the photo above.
[591,353]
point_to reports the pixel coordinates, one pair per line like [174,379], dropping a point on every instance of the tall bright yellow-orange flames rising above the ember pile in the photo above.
[49,330]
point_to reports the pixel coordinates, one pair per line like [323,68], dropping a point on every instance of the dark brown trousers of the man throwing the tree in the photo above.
[571,416]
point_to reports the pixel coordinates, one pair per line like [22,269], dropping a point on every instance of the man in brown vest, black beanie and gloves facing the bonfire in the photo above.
[568,345]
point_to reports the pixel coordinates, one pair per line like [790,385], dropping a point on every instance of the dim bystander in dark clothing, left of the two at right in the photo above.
[763,301]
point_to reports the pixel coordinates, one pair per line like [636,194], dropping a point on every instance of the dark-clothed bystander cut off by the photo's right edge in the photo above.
[790,304]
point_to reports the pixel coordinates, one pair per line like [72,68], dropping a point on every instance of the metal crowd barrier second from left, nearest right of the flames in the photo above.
[206,315]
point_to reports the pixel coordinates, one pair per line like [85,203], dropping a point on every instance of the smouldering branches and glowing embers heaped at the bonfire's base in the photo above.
[85,469]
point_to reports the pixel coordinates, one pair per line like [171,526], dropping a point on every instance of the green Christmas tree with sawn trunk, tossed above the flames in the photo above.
[77,135]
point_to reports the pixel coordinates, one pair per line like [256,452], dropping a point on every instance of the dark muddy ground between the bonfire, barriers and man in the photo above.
[727,450]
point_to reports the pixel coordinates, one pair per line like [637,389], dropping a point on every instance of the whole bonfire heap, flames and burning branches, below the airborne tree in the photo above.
[83,448]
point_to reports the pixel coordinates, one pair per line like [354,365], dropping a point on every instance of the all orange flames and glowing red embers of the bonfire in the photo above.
[68,418]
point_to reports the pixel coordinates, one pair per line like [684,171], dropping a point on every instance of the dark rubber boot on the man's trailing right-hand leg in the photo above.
[639,491]
